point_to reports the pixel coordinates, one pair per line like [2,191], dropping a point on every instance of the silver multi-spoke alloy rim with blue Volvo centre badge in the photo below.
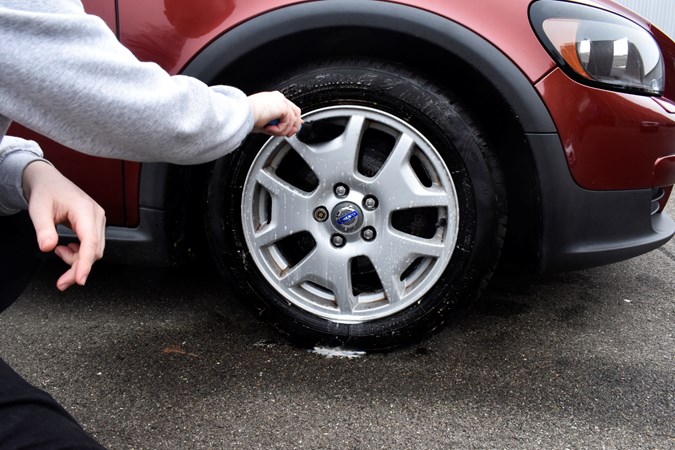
[336,249]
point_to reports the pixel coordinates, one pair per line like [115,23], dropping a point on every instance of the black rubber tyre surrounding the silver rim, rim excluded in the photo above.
[478,182]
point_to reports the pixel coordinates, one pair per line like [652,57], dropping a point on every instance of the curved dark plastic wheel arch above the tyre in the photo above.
[250,54]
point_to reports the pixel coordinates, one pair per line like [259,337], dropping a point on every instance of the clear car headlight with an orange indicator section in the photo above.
[598,47]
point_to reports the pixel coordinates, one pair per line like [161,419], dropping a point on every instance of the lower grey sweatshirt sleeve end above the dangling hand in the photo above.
[15,155]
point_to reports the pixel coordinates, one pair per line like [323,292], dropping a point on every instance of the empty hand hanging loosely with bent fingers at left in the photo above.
[53,199]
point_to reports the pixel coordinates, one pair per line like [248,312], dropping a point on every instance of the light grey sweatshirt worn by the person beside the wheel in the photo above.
[64,74]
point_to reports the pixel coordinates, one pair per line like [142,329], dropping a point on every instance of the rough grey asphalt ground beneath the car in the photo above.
[167,359]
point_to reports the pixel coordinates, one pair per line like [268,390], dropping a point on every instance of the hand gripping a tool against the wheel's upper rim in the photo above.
[269,106]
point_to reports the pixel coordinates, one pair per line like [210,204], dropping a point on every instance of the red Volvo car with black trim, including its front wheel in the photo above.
[449,134]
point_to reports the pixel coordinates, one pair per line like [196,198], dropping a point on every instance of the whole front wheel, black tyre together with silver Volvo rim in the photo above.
[377,229]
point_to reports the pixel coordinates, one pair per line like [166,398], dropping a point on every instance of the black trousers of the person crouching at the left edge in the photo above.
[29,417]
